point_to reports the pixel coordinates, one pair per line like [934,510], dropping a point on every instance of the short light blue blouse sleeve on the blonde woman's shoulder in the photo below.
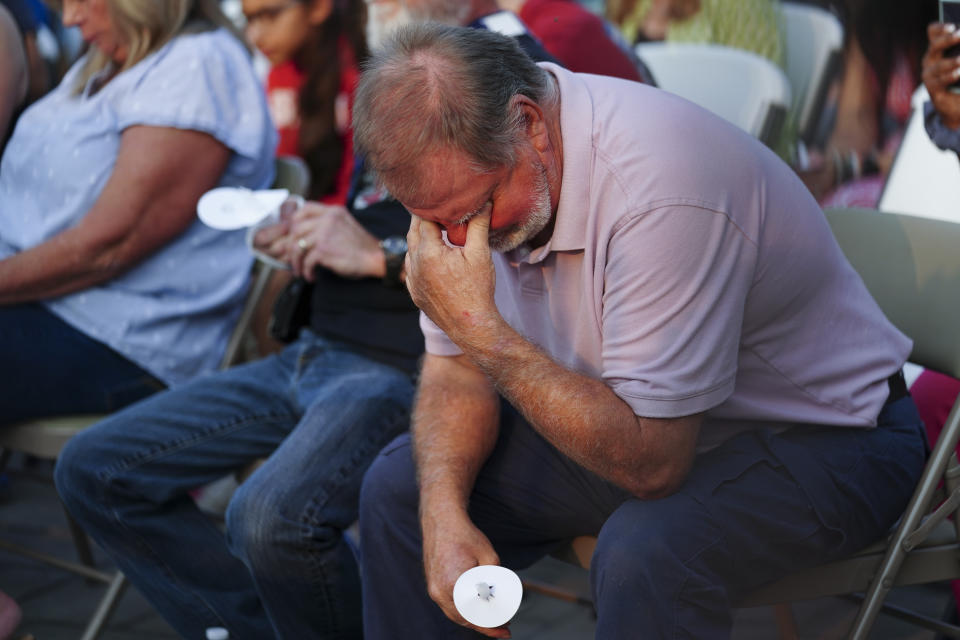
[203,82]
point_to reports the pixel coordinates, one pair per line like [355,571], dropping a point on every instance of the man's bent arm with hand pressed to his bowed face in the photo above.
[579,415]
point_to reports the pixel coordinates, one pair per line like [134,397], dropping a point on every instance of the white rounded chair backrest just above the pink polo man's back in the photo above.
[739,86]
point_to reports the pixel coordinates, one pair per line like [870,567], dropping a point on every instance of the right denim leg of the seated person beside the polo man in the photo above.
[286,521]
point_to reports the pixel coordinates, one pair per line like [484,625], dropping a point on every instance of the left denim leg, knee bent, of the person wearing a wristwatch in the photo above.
[126,481]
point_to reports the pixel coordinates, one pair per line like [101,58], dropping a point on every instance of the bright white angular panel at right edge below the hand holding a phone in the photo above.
[924,180]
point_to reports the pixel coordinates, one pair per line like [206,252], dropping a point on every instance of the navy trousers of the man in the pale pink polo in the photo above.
[754,509]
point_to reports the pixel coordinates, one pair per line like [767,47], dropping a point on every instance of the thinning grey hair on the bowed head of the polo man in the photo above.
[433,87]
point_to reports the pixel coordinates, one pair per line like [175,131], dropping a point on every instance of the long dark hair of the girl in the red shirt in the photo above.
[320,144]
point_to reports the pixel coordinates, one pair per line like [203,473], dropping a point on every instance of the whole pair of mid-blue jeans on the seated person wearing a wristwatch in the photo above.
[319,413]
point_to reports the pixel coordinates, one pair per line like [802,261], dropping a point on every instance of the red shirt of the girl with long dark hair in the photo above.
[283,97]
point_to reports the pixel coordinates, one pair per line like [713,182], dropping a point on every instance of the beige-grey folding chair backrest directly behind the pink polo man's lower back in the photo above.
[911,266]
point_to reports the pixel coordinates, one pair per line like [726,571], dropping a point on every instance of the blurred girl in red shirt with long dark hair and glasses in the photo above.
[314,47]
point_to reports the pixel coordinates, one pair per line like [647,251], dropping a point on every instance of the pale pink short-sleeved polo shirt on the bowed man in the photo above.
[691,271]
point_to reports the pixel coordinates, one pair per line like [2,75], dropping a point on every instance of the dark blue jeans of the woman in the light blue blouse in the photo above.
[48,368]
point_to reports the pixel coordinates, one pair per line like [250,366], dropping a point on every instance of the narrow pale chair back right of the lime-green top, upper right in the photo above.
[813,39]
